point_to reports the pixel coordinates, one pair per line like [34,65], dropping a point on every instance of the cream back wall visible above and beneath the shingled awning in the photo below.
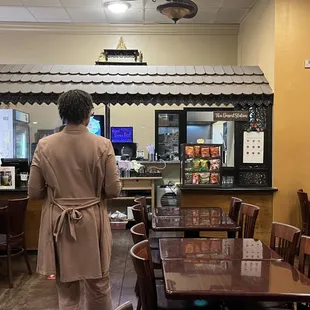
[161,45]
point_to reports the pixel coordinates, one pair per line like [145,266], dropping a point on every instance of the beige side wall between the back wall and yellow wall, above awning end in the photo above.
[256,38]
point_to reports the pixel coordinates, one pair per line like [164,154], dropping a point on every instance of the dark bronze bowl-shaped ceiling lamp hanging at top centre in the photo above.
[177,9]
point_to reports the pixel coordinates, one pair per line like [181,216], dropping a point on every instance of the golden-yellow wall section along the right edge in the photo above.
[291,108]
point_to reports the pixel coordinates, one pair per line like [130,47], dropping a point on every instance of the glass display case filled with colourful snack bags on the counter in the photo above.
[201,164]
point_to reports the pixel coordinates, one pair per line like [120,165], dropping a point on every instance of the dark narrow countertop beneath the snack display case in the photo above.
[185,188]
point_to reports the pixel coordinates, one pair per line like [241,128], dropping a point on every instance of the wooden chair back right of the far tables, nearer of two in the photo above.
[247,220]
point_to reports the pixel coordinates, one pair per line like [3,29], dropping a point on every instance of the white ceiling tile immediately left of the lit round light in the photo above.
[86,14]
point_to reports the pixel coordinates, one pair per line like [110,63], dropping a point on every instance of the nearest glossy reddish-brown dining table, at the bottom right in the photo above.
[264,280]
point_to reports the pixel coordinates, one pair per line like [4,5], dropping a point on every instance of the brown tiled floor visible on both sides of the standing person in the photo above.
[37,293]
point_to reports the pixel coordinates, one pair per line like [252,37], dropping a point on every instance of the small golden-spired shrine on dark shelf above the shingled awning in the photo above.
[121,56]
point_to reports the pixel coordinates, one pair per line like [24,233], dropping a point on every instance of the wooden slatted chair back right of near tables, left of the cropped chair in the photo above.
[284,240]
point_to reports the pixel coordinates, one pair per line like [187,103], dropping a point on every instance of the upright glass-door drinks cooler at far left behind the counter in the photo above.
[14,134]
